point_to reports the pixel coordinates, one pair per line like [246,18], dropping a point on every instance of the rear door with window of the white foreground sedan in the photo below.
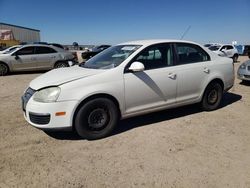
[192,69]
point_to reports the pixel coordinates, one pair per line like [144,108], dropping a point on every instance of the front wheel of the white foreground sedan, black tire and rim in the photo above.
[96,119]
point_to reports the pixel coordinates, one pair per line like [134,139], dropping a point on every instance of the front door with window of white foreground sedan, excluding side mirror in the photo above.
[156,85]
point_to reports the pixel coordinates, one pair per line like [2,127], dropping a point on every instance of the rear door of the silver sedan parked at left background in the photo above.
[45,57]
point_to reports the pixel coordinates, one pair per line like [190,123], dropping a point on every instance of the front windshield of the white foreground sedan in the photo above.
[111,57]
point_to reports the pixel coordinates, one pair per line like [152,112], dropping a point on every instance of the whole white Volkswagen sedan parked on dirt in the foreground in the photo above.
[127,80]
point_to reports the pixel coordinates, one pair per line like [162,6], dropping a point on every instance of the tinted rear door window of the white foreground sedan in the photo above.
[190,53]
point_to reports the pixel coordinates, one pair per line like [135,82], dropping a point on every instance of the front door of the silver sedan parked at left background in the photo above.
[24,59]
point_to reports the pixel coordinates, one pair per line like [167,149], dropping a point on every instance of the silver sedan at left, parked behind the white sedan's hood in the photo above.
[34,57]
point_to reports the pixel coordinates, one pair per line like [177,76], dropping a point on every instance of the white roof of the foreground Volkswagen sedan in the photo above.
[155,41]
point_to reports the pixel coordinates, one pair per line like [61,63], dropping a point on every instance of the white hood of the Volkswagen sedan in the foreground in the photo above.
[62,75]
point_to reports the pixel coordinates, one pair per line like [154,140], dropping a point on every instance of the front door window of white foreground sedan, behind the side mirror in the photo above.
[156,56]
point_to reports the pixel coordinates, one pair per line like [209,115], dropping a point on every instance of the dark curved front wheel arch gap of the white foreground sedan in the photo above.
[94,96]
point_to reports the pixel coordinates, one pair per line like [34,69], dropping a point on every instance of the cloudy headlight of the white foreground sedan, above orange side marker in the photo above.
[47,95]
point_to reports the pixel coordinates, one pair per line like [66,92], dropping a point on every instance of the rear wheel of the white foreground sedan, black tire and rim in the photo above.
[212,97]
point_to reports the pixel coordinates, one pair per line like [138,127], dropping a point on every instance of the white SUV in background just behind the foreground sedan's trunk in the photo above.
[226,50]
